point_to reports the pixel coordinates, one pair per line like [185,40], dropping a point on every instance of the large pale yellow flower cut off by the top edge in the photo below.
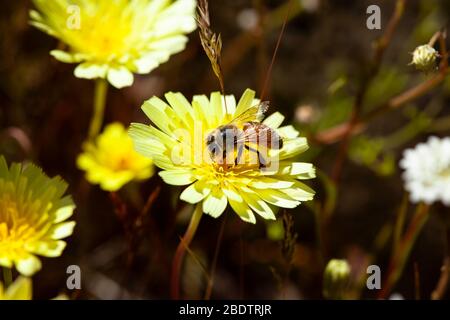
[114,38]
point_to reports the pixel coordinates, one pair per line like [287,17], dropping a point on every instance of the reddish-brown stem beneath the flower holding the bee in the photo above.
[181,251]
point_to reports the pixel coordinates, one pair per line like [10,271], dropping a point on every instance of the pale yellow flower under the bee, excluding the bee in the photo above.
[176,143]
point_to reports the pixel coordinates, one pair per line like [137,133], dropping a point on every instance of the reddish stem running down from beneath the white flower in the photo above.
[401,254]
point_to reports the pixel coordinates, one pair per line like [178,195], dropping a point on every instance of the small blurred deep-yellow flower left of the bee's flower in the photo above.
[112,161]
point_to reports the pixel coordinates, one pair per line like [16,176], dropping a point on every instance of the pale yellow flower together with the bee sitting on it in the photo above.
[184,142]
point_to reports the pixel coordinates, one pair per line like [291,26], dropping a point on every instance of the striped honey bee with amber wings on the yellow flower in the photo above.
[226,144]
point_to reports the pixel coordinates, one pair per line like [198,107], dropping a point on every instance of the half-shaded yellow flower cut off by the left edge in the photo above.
[33,214]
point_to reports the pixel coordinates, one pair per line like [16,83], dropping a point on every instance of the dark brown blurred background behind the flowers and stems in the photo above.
[324,53]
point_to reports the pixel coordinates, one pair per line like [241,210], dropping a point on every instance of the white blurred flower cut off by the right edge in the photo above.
[427,171]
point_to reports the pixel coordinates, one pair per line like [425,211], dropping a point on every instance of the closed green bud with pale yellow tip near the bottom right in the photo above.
[336,279]
